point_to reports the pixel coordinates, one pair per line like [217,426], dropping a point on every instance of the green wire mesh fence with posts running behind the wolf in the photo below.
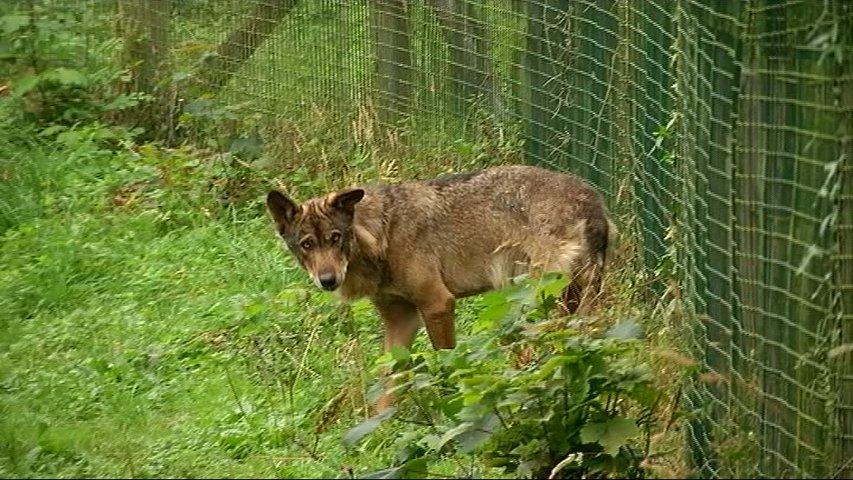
[721,132]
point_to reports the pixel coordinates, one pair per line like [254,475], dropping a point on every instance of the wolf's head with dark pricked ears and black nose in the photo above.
[319,233]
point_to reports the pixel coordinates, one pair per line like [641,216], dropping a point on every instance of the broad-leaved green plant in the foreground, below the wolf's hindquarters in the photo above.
[569,405]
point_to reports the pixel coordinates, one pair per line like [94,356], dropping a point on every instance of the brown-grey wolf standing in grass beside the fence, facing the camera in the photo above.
[415,247]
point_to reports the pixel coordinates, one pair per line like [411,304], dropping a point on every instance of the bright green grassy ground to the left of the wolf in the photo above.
[152,330]
